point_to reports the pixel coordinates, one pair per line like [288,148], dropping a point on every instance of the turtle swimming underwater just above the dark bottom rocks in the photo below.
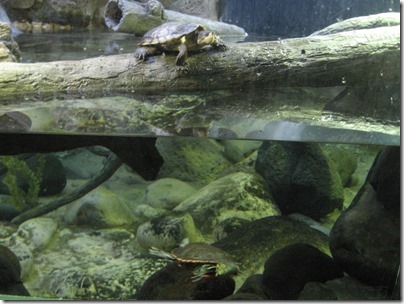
[207,259]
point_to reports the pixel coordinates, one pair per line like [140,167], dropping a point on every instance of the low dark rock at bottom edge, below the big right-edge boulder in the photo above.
[341,289]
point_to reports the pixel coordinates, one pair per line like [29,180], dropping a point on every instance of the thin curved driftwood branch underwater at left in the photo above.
[113,163]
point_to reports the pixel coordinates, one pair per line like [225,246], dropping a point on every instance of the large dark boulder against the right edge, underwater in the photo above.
[365,240]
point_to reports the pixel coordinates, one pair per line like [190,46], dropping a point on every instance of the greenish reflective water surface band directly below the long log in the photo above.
[295,114]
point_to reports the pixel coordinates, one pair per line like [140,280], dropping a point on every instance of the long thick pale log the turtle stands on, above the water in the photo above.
[358,57]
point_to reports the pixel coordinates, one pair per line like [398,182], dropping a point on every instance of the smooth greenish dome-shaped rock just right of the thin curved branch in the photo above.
[100,208]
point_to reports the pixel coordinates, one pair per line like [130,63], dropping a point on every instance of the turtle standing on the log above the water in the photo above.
[177,37]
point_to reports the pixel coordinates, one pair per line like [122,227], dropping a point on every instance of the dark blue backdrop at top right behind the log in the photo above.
[297,18]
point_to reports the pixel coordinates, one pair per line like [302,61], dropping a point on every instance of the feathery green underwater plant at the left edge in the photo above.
[18,169]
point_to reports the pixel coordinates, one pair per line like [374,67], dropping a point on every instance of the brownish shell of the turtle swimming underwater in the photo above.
[200,253]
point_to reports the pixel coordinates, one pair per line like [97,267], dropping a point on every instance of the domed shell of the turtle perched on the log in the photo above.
[169,32]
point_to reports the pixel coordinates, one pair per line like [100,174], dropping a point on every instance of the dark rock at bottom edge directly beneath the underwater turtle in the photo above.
[174,283]
